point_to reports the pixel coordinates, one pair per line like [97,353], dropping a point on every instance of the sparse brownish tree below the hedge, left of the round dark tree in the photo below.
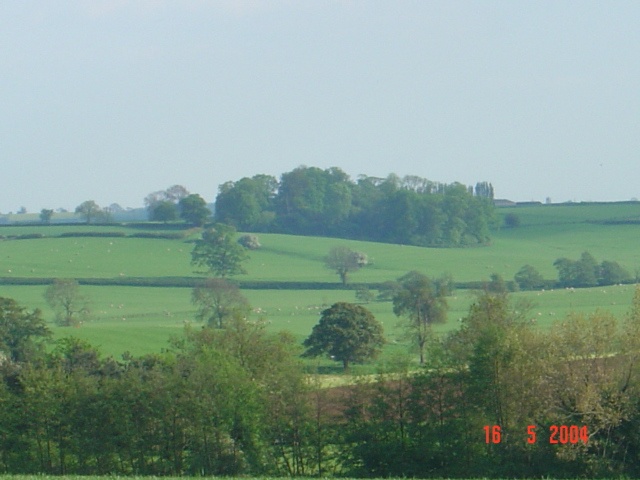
[218,301]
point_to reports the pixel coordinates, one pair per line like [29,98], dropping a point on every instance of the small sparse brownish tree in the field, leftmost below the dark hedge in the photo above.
[70,306]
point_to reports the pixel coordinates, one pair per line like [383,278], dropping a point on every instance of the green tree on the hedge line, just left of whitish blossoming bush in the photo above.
[219,252]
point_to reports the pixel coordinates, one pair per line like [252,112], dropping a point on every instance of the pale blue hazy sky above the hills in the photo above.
[109,100]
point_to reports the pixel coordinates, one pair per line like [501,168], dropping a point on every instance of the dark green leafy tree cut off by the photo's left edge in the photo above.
[20,330]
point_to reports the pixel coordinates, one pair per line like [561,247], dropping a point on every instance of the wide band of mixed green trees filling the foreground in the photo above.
[236,400]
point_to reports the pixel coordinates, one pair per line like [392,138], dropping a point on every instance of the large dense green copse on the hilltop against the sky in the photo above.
[312,201]
